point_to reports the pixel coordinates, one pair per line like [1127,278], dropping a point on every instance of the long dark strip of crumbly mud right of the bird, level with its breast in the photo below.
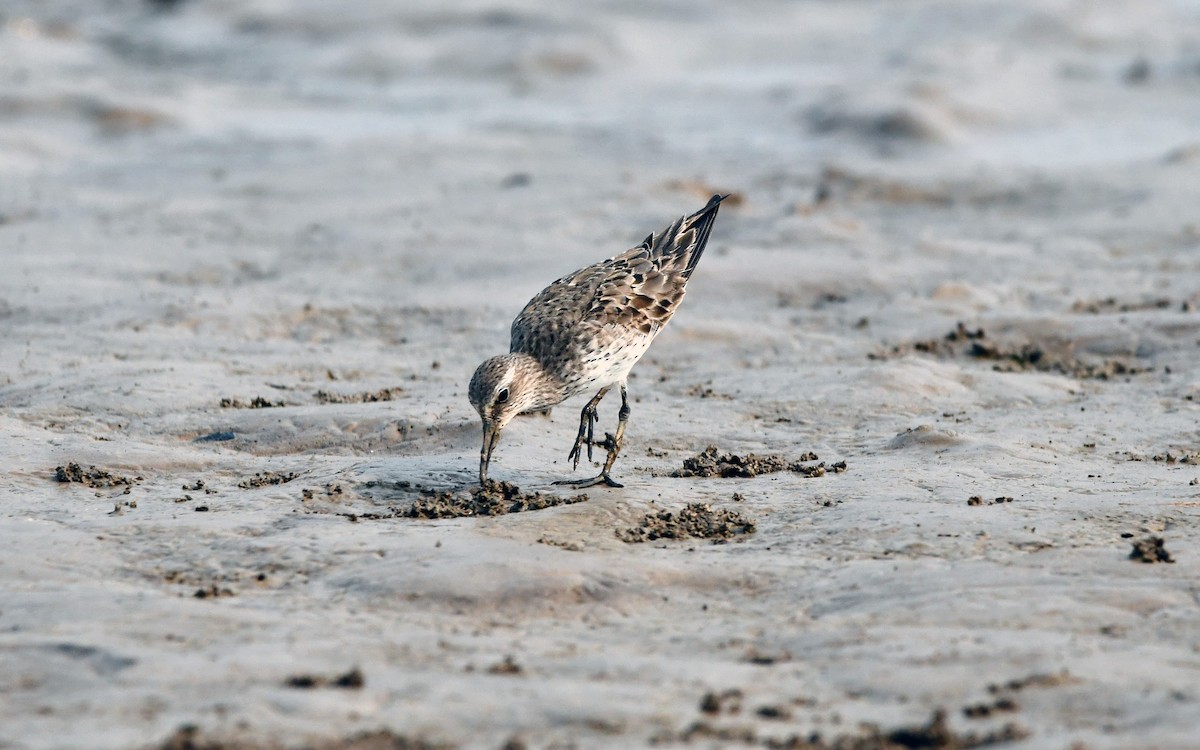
[1045,357]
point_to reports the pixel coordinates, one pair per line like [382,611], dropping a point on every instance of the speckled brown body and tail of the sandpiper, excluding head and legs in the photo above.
[613,310]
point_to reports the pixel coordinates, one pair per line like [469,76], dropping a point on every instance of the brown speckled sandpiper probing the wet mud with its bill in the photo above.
[586,332]
